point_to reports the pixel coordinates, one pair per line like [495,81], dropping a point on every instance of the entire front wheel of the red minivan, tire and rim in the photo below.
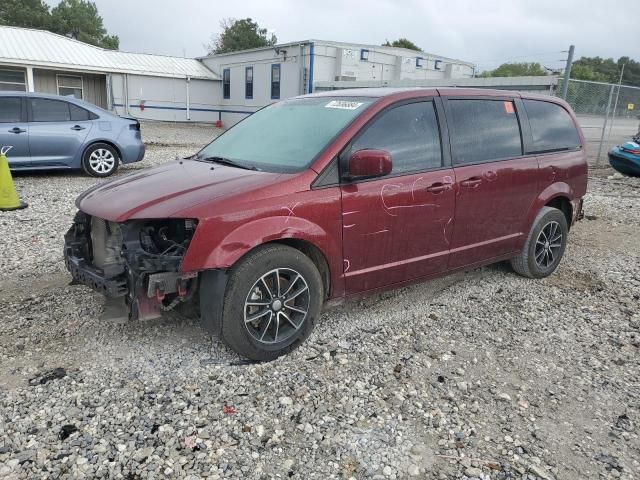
[251,292]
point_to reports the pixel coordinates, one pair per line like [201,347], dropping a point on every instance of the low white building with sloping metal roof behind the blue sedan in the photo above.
[138,85]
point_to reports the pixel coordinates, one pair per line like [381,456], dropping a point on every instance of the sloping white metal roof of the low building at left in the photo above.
[25,46]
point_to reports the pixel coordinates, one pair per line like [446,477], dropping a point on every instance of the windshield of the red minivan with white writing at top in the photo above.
[286,136]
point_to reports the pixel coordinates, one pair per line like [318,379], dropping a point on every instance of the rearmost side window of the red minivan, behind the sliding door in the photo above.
[551,126]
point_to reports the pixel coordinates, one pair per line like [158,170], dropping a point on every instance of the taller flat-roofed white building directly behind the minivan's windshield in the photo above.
[254,78]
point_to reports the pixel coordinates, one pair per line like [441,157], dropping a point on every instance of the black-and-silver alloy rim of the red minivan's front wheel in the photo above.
[276,306]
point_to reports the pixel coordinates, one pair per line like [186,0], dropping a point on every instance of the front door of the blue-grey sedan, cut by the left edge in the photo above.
[14,131]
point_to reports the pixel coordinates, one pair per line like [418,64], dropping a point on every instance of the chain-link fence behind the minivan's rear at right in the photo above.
[608,113]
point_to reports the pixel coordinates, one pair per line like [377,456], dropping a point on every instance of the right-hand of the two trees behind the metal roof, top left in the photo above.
[80,19]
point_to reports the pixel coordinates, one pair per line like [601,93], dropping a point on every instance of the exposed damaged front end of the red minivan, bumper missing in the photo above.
[137,260]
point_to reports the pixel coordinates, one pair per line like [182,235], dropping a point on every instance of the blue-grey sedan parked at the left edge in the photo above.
[63,132]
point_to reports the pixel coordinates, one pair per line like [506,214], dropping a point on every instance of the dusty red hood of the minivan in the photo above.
[168,189]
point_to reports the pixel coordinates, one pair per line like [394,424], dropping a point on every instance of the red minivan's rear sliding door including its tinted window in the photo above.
[496,186]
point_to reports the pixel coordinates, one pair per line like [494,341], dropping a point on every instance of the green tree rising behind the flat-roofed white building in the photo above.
[240,35]
